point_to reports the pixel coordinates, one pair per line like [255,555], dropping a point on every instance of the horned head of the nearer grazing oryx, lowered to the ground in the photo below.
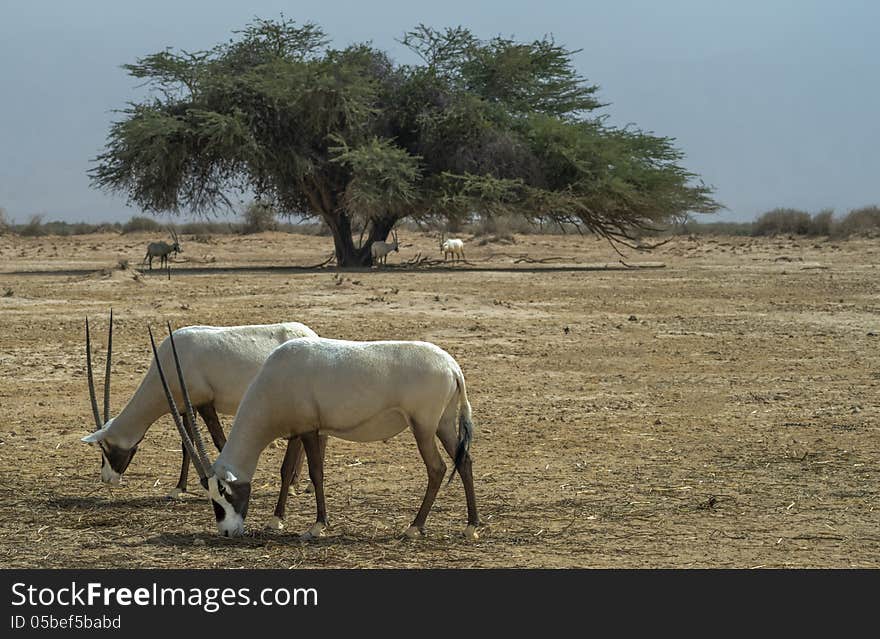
[229,496]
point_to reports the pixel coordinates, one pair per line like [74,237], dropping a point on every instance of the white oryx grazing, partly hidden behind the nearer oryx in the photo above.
[220,363]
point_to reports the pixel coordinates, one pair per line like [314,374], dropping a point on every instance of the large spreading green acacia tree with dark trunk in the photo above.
[351,137]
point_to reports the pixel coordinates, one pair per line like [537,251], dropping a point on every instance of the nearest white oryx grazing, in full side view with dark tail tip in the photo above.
[357,391]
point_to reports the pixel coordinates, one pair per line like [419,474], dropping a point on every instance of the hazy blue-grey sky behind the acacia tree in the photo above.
[774,102]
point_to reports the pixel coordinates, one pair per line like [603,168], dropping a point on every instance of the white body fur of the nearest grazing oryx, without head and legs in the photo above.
[357,391]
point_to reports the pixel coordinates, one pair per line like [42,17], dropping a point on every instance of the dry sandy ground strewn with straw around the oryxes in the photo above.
[719,412]
